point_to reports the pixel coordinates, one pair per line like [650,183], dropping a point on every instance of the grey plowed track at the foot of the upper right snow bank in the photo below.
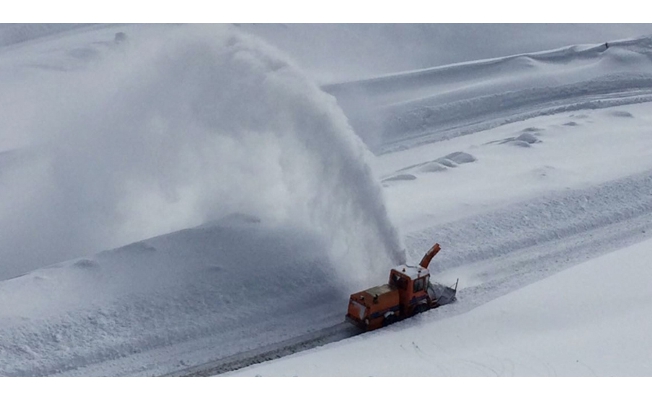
[422,122]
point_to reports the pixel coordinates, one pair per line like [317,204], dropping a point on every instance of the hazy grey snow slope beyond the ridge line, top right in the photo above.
[355,51]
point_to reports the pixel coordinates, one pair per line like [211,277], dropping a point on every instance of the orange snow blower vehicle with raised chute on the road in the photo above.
[409,292]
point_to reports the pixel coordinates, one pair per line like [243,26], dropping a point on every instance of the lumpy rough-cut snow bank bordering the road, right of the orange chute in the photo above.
[557,215]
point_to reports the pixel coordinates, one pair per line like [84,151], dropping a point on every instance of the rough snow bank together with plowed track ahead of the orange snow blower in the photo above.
[522,243]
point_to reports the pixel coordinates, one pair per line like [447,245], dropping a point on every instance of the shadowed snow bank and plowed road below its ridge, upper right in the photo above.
[440,103]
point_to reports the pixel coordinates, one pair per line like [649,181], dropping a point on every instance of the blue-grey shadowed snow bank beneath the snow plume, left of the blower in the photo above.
[247,285]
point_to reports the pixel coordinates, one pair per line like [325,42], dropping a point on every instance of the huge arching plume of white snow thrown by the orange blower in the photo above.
[178,127]
